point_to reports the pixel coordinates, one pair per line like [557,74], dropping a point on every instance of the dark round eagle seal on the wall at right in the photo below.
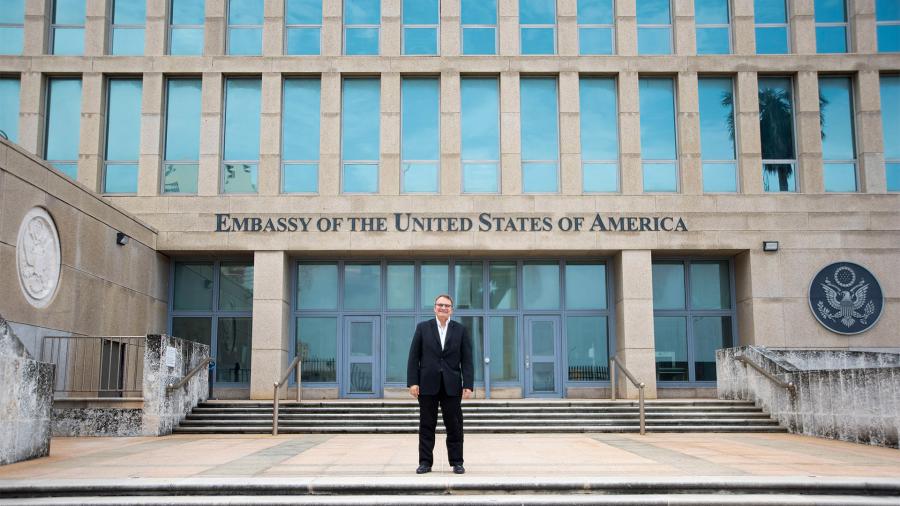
[846,298]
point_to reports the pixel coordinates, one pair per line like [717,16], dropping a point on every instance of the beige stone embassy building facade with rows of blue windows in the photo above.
[586,178]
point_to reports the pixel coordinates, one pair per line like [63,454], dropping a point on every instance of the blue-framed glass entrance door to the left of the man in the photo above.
[361,372]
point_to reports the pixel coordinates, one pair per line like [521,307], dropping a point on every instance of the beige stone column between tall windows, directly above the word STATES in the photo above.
[510,134]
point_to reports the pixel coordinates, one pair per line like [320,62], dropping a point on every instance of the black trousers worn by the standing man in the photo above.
[451,409]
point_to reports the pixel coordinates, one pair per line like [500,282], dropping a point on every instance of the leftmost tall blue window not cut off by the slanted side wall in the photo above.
[123,135]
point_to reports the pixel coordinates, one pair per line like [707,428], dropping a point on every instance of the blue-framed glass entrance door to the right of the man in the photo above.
[542,352]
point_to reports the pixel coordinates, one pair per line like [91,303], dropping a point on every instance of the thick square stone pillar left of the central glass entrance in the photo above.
[271,317]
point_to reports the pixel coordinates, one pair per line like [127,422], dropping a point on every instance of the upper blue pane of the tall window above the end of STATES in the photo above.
[540,120]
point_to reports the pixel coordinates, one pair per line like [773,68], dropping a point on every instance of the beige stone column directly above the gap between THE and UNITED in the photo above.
[389,177]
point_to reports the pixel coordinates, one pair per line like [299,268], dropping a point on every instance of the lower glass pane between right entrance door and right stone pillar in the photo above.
[587,348]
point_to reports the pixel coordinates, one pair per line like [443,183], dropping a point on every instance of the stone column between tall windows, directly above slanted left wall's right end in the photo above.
[153,91]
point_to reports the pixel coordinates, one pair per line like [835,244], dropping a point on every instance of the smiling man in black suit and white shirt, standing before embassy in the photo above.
[440,371]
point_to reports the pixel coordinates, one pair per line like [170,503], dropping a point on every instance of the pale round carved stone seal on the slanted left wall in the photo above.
[38,257]
